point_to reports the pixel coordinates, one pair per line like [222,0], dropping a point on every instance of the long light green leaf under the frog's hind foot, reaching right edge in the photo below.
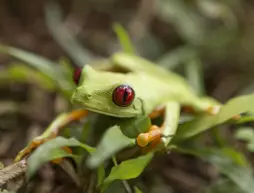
[204,122]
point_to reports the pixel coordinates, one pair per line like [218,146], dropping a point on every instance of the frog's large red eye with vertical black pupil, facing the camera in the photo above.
[123,95]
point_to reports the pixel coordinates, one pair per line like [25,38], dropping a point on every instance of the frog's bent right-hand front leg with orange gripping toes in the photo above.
[161,134]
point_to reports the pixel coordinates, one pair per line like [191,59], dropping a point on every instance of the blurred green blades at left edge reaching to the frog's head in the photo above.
[59,75]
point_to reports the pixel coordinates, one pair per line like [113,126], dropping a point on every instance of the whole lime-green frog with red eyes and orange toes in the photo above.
[128,87]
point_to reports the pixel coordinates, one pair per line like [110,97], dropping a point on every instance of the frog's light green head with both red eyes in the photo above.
[106,92]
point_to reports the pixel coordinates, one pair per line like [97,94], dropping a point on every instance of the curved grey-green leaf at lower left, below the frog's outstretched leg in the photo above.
[51,150]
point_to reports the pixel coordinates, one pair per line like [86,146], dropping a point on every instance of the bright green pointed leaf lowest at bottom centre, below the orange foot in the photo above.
[129,169]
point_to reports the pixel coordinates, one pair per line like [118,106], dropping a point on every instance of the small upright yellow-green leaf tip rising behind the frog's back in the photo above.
[123,38]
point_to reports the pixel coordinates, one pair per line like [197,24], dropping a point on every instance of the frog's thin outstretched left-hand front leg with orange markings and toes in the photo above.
[52,132]
